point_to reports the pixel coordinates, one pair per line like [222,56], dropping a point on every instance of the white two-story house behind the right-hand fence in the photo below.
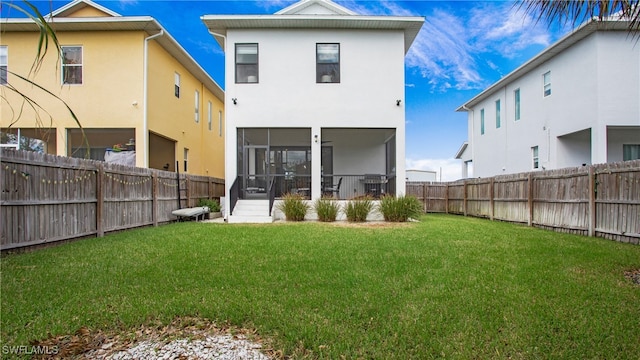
[576,103]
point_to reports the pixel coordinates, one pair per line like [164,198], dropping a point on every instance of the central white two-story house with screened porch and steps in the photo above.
[316,103]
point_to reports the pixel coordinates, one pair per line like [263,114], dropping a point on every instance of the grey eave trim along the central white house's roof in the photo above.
[220,24]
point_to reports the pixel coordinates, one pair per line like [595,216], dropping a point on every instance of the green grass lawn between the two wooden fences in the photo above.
[446,287]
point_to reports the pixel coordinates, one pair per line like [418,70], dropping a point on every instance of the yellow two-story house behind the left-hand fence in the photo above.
[127,80]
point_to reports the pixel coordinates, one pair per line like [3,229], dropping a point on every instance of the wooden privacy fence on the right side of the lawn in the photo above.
[599,200]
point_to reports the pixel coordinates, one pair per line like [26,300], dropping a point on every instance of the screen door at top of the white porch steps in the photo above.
[256,172]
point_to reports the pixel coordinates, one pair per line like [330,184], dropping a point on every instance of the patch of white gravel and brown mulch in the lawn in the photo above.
[183,338]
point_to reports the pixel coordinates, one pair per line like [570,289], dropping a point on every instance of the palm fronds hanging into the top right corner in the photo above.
[577,11]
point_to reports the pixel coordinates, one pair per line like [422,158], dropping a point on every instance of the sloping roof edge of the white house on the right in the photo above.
[586,29]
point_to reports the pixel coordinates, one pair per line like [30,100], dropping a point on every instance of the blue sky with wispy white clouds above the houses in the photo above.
[463,47]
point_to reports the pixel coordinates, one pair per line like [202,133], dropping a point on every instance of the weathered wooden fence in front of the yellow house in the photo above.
[47,198]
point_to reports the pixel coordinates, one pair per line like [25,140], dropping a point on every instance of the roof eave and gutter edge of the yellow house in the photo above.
[128,23]
